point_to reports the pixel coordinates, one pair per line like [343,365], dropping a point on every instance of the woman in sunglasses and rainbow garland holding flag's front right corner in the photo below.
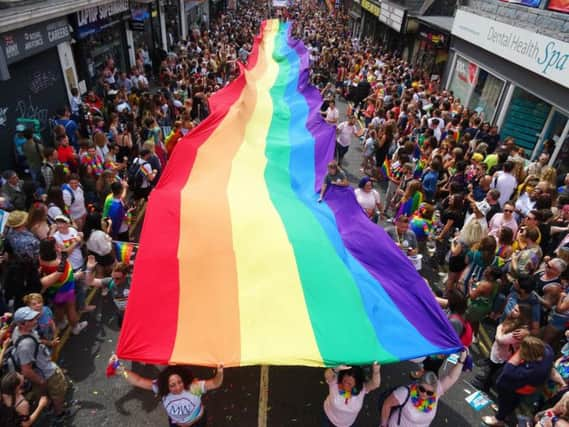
[415,405]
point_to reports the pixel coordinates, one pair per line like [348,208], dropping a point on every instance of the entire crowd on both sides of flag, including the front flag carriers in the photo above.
[451,191]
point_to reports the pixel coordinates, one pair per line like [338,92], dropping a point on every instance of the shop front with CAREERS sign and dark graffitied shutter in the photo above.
[36,86]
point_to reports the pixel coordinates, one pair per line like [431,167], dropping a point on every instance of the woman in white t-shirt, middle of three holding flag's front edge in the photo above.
[346,395]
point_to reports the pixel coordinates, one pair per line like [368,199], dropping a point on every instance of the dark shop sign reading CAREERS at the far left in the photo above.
[28,41]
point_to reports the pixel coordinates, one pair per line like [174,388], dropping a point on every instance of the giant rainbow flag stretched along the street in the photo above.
[239,264]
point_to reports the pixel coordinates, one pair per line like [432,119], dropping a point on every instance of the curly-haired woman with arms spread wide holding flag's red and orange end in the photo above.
[180,392]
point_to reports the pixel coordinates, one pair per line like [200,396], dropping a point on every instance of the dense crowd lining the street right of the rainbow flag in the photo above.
[460,198]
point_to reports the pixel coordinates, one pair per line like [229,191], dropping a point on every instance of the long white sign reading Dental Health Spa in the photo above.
[543,55]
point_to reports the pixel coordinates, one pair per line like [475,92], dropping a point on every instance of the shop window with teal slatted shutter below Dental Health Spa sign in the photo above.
[525,119]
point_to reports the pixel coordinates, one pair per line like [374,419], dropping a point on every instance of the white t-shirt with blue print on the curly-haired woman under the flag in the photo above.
[185,407]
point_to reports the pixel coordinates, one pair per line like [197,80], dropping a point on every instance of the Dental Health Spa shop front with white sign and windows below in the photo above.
[515,79]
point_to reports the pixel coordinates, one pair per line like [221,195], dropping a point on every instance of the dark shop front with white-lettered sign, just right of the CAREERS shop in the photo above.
[101,35]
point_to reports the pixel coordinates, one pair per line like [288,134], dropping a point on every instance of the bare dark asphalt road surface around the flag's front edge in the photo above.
[295,394]
